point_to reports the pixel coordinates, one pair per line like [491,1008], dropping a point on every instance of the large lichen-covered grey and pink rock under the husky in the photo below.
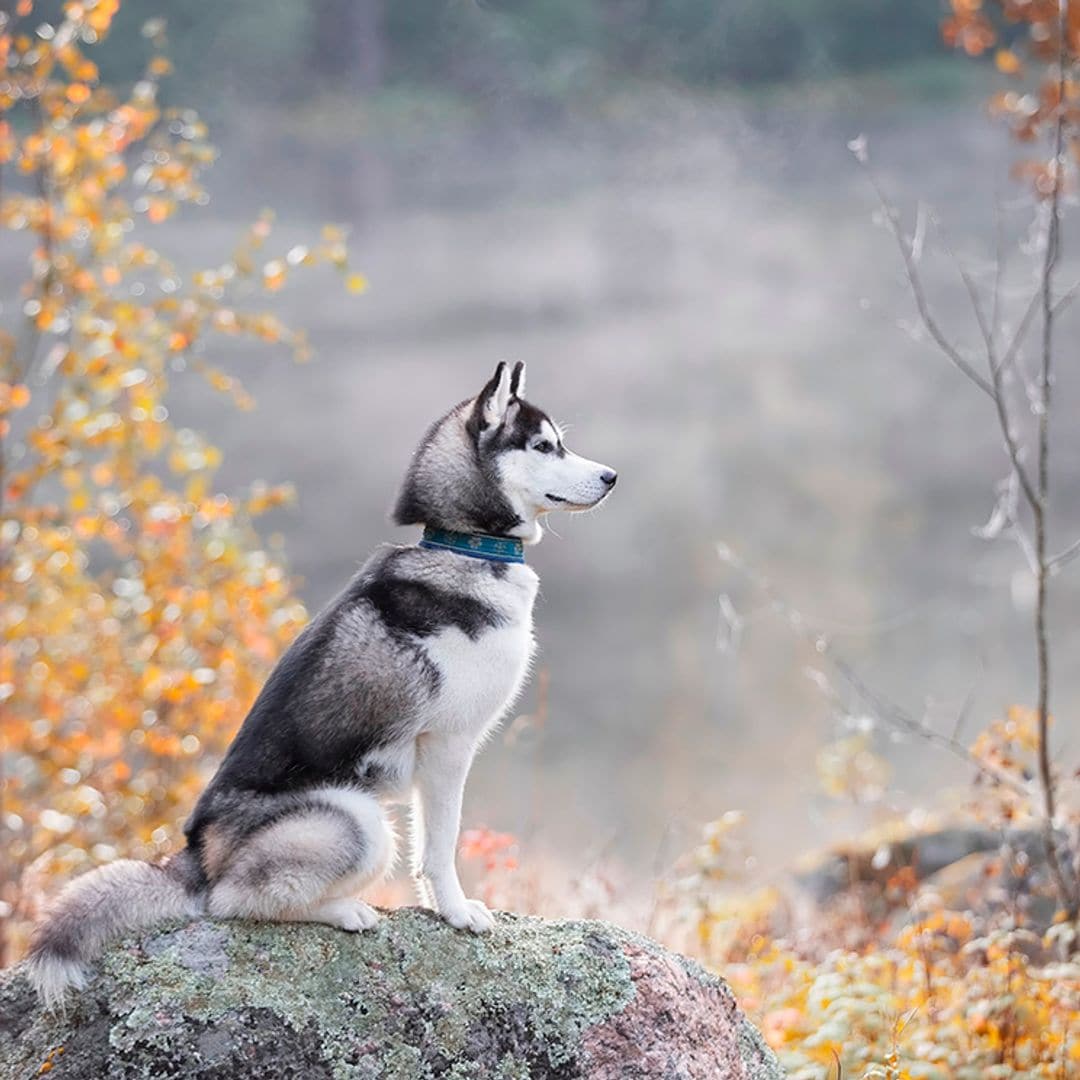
[410,1001]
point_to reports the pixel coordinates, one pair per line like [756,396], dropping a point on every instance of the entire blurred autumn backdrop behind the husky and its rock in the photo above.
[785,714]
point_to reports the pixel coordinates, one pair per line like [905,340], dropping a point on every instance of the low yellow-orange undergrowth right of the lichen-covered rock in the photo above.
[933,995]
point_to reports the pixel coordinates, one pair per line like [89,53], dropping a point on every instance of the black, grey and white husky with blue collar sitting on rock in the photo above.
[387,695]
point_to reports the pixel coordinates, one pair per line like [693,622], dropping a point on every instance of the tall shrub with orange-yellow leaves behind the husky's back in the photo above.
[141,611]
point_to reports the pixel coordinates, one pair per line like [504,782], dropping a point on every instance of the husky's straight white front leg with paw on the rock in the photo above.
[443,763]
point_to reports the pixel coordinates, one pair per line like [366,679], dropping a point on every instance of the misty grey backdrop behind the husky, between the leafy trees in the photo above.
[652,202]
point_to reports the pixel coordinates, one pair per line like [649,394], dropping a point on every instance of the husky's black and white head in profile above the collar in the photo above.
[496,464]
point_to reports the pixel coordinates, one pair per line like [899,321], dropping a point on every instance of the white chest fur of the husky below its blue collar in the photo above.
[480,678]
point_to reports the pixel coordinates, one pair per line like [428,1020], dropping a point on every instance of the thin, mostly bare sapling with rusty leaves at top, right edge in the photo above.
[1016,377]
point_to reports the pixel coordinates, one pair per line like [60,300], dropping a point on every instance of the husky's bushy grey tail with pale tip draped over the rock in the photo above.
[101,908]
